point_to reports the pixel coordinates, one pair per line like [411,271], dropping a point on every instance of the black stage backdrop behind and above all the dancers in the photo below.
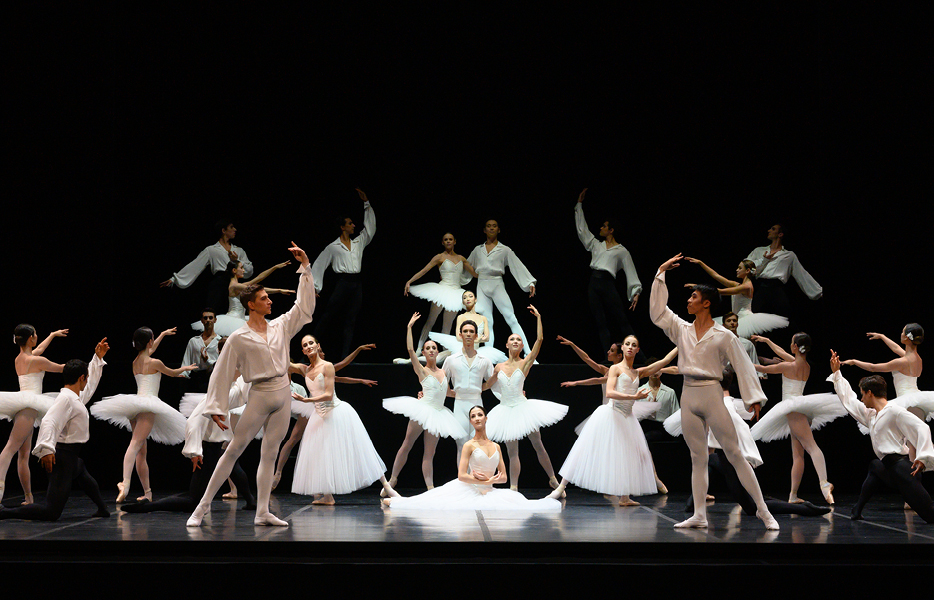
[130,135]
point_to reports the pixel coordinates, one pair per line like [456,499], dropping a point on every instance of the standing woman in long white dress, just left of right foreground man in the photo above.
[611,455]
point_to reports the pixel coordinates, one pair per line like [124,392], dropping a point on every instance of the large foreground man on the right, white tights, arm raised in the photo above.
[703,347]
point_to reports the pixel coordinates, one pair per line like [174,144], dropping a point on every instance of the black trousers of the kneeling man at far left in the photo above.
[68,470]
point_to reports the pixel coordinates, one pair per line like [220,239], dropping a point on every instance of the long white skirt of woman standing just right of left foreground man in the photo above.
[336,455]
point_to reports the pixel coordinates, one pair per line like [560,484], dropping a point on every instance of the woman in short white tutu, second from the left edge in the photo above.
[143,413]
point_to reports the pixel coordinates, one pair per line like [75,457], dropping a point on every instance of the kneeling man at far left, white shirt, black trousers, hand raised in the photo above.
[62,433]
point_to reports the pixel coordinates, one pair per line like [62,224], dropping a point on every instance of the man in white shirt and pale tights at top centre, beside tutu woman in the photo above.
[490,260]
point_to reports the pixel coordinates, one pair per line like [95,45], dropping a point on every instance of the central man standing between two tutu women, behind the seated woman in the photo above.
[466,371]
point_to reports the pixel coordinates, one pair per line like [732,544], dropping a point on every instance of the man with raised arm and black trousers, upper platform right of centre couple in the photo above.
[607,258]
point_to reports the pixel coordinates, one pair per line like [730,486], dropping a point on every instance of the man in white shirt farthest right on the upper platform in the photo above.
[774,266]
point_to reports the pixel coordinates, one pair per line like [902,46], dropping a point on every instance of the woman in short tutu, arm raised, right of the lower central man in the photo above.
[516,417]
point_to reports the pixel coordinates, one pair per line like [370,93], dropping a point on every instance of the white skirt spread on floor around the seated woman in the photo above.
[457,495]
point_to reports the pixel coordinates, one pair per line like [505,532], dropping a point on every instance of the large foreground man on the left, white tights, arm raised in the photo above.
[260,351]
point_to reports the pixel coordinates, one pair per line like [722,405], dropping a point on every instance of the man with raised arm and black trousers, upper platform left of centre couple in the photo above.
[345,257]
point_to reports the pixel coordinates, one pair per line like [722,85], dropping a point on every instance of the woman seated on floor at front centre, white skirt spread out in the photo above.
[481,465]
